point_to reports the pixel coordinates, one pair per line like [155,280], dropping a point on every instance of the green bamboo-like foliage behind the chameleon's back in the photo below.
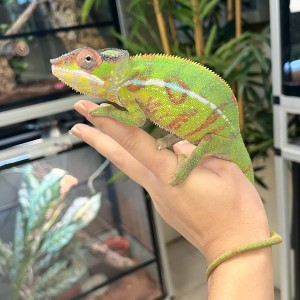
[241,60]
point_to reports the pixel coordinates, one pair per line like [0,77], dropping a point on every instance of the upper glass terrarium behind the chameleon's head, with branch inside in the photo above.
[33,32]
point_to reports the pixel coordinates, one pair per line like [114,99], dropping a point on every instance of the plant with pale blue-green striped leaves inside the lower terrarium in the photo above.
[43,260]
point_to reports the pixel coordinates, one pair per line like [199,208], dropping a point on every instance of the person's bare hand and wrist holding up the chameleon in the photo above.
[216,208]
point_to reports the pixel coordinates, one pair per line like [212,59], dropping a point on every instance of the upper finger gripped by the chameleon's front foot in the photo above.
[135,141]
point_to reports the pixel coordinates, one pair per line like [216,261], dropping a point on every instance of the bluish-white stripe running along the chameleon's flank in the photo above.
[177,88]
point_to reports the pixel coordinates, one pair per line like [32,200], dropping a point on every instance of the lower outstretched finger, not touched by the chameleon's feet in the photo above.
[113,152]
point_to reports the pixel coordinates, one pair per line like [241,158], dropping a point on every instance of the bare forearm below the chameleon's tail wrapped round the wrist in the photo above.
[246,276]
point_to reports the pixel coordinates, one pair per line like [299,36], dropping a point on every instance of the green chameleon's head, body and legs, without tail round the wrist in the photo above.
[181,96]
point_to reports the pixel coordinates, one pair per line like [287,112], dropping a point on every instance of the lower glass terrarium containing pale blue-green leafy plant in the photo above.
[90,235]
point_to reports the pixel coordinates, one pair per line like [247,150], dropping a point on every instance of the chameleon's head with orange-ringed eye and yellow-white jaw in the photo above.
[91,72]
